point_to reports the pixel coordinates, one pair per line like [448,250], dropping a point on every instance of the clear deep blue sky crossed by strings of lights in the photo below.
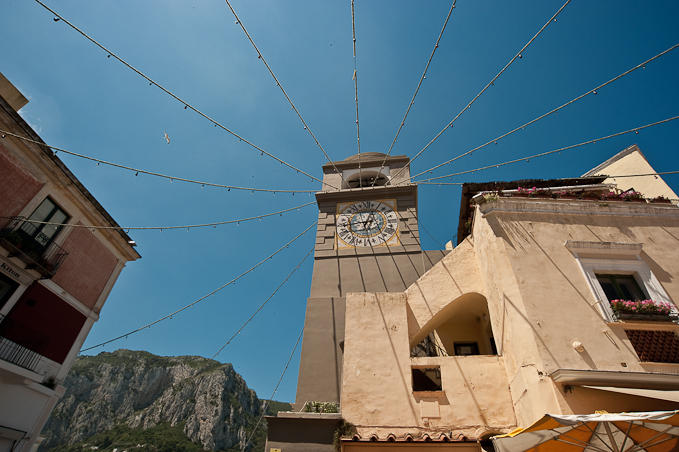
[84,102]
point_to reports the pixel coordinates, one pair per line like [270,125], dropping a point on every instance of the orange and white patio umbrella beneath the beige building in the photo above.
[653,431]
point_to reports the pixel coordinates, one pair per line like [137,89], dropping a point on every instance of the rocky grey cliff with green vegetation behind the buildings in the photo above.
[112,397]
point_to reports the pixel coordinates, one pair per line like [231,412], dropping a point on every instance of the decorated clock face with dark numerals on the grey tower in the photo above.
[366,224]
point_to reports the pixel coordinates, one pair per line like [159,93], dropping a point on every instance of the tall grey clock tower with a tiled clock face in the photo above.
[367,241]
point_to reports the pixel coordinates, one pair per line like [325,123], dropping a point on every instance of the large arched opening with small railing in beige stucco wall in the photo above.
[462,328]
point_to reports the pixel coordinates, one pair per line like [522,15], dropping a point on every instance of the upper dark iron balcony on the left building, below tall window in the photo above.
[38,253]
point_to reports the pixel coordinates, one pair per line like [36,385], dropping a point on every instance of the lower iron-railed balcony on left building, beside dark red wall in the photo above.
[21,345]
